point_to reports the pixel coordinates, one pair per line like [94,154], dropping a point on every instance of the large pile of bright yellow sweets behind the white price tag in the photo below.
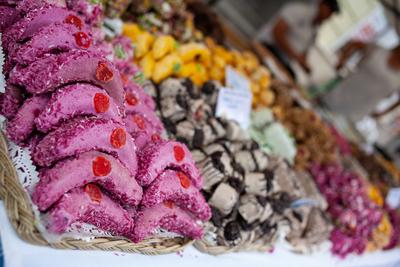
[162,56]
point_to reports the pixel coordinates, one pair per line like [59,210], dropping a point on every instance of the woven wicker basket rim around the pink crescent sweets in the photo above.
[20,214]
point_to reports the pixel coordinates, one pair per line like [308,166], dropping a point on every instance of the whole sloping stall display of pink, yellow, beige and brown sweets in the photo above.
[116,143]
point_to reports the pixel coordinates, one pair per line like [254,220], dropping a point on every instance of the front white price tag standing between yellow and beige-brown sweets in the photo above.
[234,105]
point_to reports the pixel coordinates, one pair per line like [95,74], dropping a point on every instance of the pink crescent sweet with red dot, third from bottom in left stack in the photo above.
[85,134]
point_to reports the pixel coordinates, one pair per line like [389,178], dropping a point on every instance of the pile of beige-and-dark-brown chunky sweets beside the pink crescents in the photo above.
[250,193]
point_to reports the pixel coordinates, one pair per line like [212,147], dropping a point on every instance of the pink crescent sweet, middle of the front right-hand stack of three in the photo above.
[175,186]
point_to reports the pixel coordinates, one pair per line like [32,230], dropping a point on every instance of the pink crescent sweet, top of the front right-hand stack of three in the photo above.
[158,156]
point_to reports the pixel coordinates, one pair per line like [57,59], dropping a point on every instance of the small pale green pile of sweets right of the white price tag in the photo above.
[271,135]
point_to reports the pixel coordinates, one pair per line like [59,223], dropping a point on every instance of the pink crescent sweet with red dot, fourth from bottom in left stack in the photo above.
[74,100]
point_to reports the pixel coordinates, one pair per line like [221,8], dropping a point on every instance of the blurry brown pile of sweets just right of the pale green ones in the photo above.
[314,139]
